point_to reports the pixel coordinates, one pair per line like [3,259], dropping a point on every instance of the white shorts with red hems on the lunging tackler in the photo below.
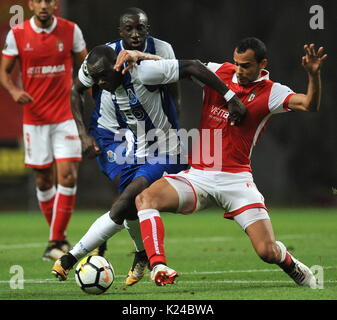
[199,189]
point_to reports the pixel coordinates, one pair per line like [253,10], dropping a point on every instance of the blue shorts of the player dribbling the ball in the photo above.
[150,171]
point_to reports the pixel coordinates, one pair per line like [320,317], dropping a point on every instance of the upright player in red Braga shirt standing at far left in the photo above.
[46,46]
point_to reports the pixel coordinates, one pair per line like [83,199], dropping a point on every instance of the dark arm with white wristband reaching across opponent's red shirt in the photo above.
[237,110]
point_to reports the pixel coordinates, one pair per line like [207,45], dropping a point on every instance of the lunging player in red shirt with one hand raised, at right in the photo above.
[228,181]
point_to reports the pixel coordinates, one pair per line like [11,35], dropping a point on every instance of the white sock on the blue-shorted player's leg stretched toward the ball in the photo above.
[101,230]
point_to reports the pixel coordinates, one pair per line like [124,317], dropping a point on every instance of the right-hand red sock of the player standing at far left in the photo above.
[63,208]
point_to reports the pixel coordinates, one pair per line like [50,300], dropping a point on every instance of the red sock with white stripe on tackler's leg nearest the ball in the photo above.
[153,232]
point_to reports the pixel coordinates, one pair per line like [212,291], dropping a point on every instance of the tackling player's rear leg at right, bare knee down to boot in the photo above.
[262,237]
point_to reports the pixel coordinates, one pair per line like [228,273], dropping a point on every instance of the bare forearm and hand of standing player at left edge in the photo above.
[18,95]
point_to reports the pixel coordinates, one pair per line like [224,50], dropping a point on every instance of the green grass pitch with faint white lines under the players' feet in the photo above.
[214,257]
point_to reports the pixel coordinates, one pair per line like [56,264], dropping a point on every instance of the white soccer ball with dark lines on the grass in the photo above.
[94,274]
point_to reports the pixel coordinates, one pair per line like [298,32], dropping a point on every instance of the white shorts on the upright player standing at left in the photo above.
[46,143]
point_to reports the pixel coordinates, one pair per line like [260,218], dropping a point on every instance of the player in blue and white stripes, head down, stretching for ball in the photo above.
[139,107]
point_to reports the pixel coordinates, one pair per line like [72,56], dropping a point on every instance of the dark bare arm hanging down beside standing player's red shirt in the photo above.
[89,146]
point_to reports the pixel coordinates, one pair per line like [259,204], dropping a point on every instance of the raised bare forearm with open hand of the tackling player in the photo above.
[312,62]
